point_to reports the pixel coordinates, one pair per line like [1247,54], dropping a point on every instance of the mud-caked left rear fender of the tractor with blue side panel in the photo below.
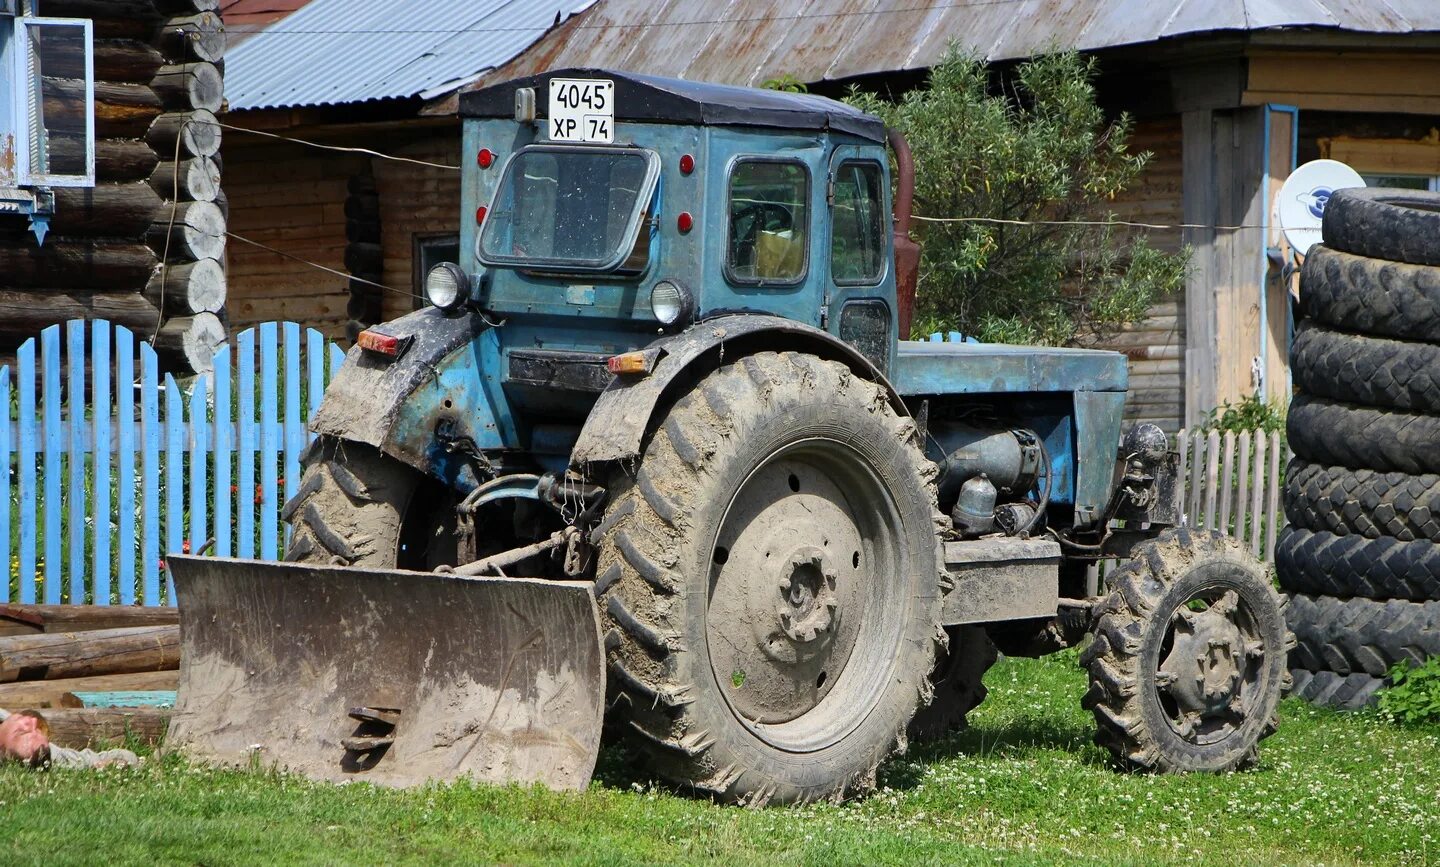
[438,382]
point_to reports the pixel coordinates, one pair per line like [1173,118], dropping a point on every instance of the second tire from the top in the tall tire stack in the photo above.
[1372,296]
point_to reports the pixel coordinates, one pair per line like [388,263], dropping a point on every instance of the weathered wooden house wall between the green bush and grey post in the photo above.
[1157,345]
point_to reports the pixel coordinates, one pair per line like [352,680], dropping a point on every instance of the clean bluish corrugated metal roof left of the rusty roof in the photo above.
[352,51]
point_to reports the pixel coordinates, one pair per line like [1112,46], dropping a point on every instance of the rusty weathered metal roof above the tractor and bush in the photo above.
[748,42]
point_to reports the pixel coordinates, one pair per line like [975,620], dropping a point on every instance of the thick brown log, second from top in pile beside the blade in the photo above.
[91,653]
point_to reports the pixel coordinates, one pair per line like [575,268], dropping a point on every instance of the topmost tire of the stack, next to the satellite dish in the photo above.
[1385,224]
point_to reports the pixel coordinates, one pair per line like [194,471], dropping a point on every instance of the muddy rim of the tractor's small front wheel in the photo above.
[1210,666]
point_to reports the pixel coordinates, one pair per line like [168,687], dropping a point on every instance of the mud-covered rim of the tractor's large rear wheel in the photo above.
[800,632]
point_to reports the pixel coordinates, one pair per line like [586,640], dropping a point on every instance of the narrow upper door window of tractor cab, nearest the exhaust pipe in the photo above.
[858,241]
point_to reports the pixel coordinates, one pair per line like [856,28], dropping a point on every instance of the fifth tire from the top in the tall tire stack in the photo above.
[1363,502]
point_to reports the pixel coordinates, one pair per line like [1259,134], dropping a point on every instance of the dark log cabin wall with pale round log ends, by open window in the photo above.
[158,189]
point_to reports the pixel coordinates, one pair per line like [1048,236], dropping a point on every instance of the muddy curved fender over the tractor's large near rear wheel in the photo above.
[617,427]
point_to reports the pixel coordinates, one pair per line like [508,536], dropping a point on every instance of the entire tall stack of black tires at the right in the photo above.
[1362,554]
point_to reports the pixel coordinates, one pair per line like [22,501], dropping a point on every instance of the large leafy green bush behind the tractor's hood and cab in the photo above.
[1035,151]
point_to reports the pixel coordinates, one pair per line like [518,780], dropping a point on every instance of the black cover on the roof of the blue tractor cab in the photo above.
[652,99]
